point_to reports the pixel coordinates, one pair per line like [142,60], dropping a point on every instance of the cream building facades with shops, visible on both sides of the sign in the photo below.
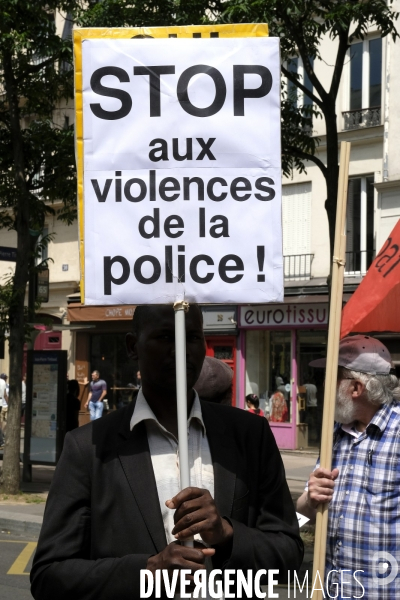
[269,347]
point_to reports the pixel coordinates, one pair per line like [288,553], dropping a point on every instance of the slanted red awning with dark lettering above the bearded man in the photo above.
[375,305]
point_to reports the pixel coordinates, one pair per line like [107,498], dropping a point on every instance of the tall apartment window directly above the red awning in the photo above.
[360,225]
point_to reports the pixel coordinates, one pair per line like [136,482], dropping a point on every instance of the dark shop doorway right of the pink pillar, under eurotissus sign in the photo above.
[312,345]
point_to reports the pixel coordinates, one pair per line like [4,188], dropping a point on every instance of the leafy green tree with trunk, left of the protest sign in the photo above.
[37,168]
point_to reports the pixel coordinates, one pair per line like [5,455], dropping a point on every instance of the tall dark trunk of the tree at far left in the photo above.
[11,457]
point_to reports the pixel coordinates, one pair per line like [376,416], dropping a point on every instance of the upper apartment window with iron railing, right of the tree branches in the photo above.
[365,59]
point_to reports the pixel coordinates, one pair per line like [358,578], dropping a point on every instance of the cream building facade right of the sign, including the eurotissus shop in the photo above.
[275,349]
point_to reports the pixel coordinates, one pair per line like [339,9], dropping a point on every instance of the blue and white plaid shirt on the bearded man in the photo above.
[364,516]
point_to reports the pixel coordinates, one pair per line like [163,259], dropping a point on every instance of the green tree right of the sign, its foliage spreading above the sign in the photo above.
[301,25]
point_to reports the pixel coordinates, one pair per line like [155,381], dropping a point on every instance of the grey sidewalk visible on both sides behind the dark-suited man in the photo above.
[19,518]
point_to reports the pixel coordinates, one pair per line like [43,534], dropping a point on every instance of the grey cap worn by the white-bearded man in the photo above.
[361,353]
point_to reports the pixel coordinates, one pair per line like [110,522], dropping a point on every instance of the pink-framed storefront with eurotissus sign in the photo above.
[277,342]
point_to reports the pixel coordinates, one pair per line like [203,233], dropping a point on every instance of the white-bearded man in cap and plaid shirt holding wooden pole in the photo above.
[363,543]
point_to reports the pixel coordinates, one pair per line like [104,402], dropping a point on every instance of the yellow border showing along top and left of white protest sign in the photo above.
[90,33]
